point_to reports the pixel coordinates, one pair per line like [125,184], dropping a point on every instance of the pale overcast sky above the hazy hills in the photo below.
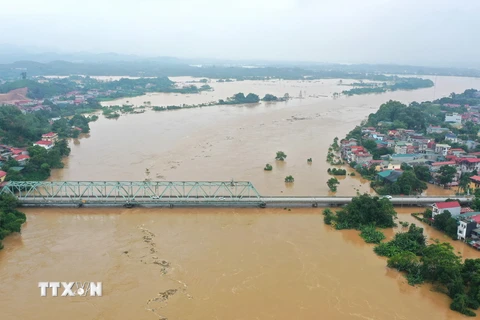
[427,32]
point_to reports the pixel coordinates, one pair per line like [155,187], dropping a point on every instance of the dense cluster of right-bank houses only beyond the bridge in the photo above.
[417,149]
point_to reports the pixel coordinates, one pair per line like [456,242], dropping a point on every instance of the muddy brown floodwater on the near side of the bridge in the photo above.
[224,264]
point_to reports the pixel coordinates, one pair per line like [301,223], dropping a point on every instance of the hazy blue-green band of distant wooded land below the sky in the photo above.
[174,67]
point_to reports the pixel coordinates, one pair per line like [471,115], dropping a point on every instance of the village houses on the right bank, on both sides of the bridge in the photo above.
[436,155]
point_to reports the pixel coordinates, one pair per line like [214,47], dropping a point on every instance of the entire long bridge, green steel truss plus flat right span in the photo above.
[172,193]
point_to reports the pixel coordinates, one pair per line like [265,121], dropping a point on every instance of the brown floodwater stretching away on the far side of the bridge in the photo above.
[235,142]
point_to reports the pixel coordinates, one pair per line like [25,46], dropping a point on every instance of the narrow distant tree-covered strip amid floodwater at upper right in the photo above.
[397,83]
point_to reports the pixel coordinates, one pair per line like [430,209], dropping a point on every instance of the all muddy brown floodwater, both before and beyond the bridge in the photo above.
[217,263]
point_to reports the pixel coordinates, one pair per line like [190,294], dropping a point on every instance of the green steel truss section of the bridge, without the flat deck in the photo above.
[131,192]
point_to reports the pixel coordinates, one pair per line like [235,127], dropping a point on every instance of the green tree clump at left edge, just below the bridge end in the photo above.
[11,219]
